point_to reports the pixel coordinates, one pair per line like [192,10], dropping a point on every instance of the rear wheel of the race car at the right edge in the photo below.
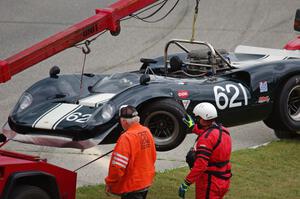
[285,118]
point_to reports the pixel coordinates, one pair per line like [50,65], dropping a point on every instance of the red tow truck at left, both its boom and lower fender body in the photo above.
[21,172]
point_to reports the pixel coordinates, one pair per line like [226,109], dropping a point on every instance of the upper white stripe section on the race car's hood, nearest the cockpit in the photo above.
[95,100]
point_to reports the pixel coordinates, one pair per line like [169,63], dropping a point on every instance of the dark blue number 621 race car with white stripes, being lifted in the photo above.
[60,111]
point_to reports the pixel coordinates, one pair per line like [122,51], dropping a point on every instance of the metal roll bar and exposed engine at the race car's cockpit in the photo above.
[196,62]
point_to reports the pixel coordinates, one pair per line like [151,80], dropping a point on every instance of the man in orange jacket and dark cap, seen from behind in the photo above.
[132,165]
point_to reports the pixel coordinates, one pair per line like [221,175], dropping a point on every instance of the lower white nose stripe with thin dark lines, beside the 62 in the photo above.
[54,116]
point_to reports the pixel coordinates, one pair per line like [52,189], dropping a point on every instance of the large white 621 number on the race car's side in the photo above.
[221,94]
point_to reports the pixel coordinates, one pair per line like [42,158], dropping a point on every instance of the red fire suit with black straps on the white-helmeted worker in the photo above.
[212,170]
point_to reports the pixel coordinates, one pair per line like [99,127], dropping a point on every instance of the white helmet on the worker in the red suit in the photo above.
[206,111]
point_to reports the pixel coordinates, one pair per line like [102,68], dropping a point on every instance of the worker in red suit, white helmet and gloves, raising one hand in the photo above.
[209,159]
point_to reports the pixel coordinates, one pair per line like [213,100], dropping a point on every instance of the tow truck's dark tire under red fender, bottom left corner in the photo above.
[28,192]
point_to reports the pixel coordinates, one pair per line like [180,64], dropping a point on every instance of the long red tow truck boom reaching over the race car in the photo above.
[104,19]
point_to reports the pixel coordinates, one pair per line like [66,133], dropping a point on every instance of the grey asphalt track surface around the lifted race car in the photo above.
[223,23]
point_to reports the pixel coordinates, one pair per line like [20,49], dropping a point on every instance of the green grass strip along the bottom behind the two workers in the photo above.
[272,171]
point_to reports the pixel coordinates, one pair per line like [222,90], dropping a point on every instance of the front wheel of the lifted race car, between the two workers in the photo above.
[164,119]
